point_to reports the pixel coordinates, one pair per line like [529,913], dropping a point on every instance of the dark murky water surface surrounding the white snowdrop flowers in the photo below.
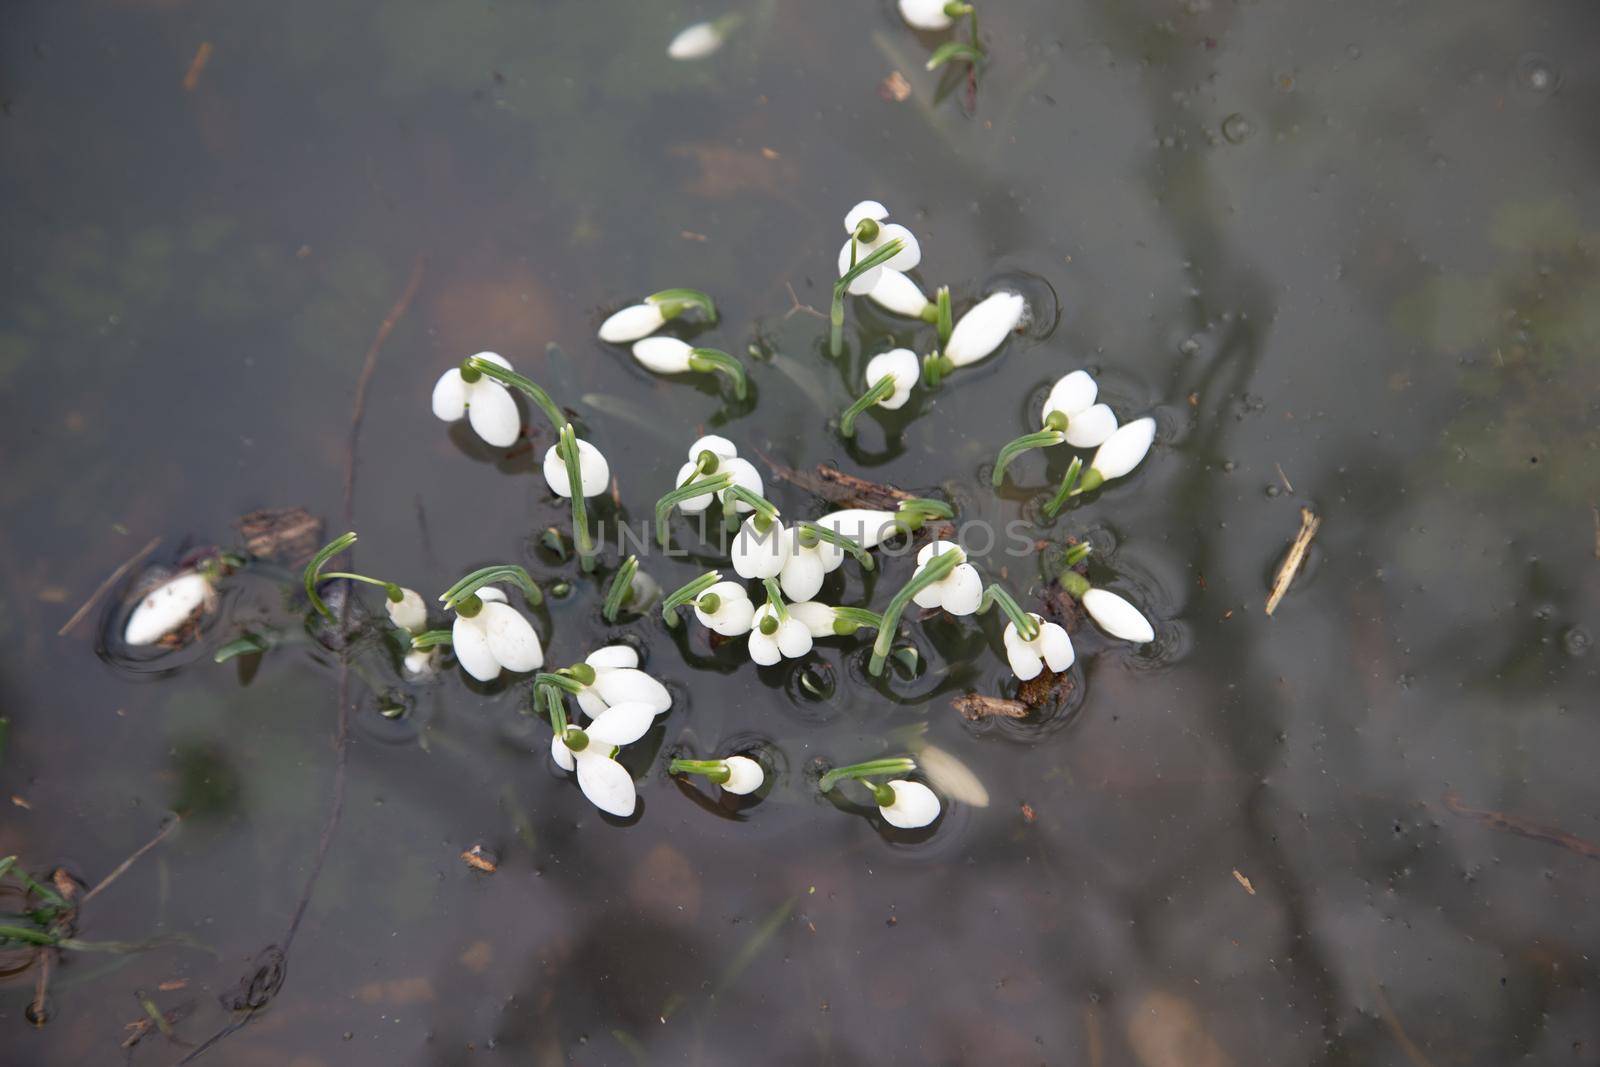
[1337,252]
